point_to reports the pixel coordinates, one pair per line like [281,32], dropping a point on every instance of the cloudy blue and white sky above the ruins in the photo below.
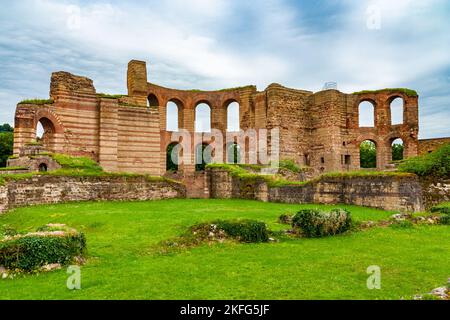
[212,44]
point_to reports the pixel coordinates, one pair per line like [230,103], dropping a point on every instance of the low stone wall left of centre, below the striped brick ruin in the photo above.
[46,189]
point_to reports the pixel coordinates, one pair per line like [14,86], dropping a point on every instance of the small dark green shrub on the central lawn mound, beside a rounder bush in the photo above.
[245,230]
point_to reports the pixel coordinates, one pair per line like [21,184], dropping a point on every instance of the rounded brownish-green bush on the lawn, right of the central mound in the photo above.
[314,223]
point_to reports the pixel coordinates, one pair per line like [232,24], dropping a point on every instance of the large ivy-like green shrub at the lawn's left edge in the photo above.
[30,251]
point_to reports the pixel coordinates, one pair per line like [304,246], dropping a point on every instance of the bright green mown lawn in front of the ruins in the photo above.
[122,262]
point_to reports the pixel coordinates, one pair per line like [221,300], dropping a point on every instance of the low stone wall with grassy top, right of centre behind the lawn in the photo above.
[396,193]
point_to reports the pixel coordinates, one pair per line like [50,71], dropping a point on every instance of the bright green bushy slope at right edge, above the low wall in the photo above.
[435,164]
